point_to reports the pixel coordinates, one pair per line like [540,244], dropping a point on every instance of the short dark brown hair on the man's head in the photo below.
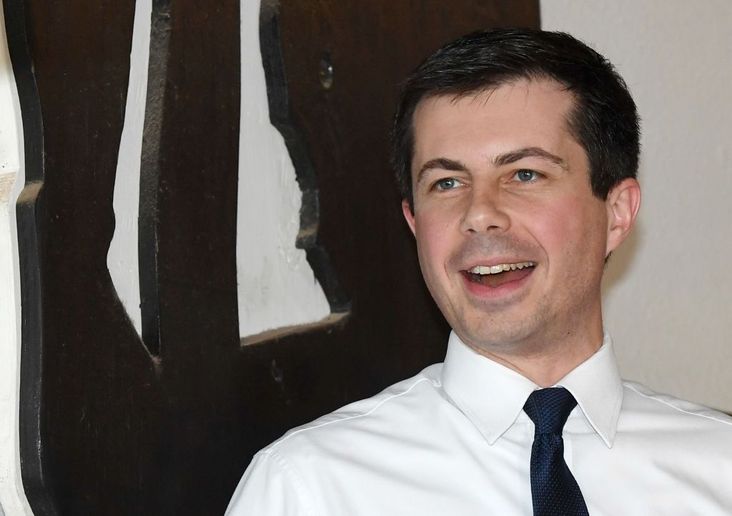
[604,119]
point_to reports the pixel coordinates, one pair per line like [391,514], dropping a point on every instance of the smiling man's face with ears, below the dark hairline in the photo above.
[500,184]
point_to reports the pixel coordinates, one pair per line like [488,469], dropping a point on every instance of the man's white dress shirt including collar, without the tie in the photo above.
[454,440]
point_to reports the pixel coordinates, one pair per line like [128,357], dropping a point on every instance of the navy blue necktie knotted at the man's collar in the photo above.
[554,491]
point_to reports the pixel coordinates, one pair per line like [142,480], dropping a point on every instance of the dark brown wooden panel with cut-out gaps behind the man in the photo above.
[108,428]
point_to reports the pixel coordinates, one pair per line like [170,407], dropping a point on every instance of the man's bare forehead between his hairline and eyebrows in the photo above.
[522,113]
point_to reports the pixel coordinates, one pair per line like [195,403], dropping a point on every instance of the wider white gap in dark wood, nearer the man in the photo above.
[276,286]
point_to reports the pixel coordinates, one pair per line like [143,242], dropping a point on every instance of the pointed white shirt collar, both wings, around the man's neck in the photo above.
[492,396]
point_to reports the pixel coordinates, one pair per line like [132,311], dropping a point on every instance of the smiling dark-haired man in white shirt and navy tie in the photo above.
[516,152]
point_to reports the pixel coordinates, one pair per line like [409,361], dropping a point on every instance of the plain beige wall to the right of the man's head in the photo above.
[668,302]
